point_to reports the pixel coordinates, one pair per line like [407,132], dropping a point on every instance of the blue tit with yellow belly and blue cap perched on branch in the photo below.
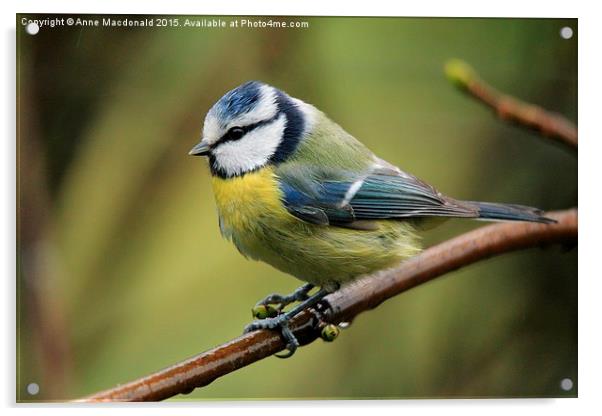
[295,190]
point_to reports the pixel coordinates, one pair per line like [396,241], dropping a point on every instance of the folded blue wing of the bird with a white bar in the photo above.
[383,193]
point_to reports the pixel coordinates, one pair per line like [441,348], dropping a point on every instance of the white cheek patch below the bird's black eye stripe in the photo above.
[252,151]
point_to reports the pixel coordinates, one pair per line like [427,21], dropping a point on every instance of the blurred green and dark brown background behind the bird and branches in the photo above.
[121,268]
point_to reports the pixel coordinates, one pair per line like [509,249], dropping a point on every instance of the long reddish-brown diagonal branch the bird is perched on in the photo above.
[344,305]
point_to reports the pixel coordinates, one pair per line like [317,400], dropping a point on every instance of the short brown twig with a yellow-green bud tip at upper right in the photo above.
[552,125]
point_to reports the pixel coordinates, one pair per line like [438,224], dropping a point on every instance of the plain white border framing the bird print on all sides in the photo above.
[589,34]
